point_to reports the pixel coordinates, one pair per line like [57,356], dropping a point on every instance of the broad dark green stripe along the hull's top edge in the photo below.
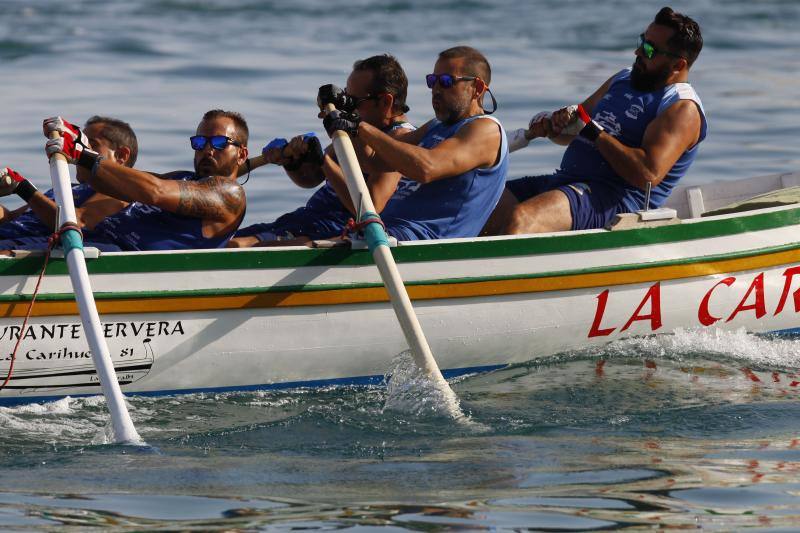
[433,251]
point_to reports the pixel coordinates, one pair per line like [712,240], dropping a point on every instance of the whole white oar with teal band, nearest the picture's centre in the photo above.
[378,244]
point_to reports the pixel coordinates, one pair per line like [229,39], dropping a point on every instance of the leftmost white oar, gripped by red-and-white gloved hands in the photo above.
[71,241]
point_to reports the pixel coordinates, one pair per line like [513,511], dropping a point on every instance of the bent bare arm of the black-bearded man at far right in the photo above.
[665,139]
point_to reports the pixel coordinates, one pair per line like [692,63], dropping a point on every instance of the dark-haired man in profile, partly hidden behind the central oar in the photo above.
[376,89]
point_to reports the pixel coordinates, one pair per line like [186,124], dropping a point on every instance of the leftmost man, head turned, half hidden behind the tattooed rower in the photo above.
[30,226]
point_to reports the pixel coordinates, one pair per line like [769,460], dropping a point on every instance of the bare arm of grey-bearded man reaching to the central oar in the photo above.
[475,145]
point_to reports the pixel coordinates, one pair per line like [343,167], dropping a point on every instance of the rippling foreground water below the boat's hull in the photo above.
[628,435]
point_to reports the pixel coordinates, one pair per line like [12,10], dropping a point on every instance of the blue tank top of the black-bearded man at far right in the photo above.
[625,113]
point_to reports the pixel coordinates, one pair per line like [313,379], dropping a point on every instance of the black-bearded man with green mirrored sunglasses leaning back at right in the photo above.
[640,130]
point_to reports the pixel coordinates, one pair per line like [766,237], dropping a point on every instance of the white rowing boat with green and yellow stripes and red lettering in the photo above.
[215,320]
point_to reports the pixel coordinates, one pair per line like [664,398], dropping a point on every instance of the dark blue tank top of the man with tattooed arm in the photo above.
[147,227]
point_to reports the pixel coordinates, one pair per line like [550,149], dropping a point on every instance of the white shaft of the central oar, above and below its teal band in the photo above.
[423,357]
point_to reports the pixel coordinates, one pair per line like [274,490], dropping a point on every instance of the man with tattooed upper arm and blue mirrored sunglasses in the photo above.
[178,210]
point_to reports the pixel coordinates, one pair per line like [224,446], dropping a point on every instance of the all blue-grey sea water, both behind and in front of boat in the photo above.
[670,432]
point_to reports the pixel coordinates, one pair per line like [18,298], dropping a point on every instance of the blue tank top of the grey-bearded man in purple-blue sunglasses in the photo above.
[451,207]
